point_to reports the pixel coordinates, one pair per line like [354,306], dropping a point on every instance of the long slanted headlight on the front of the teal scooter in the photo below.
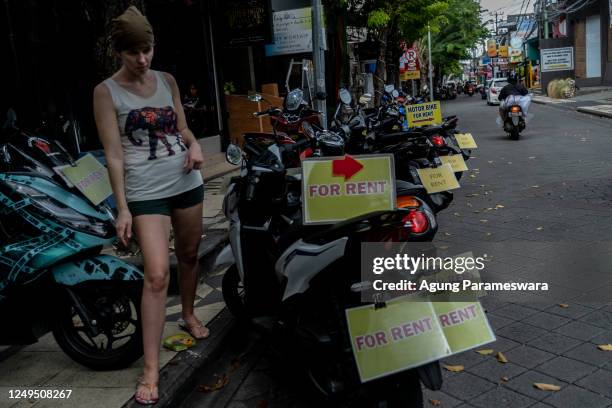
[62,213]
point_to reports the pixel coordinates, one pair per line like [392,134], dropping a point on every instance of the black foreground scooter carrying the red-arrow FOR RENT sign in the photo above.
[295,282]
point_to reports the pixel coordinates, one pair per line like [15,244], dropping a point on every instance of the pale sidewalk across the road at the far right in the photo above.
[592,100]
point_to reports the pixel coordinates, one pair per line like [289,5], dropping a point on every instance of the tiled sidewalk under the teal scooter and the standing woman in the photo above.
[44,366]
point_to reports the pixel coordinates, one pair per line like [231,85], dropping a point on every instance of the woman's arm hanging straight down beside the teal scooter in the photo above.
[108,130]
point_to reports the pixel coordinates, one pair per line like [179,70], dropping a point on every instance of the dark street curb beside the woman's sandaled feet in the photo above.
[177,378]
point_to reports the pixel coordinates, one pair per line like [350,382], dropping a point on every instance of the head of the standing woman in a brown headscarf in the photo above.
[132,38]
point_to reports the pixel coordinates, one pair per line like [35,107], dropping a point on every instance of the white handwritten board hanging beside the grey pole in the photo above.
[292,32]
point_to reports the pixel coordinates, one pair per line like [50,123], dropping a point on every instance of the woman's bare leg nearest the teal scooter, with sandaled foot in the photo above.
[153,233]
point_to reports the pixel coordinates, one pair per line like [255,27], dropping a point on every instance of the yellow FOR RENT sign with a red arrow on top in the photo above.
[338,188]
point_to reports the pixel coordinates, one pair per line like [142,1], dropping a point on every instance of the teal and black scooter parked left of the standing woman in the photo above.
[54,276]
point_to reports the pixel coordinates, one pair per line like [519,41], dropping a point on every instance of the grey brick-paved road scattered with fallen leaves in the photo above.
[551,188]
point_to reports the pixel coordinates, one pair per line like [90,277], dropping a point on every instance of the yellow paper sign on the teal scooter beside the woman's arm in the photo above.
[90,177]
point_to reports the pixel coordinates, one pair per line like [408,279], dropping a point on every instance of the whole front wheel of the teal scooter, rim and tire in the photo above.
[115,312]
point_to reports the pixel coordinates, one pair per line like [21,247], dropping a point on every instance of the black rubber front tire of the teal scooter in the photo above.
[74,345]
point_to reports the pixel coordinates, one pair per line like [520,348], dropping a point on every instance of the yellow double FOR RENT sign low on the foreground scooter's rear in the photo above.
[410,331]
